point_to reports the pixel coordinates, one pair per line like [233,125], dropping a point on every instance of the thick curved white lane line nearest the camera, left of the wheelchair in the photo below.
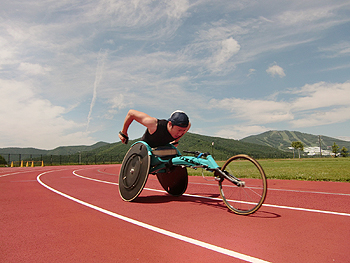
[156,229]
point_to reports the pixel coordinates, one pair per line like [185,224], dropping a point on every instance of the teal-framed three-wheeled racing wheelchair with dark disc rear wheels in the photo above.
[242,181]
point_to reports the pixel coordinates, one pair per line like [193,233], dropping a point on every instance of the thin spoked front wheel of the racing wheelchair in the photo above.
[248,193]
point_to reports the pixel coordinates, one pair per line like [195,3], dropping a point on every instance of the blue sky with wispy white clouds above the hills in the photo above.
[71,69]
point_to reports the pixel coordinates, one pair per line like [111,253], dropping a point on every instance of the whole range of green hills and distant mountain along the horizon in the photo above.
[271,144]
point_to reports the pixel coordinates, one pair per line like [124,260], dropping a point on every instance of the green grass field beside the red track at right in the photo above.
[311,169]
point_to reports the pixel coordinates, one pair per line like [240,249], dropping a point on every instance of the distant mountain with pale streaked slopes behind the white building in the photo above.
[282,140]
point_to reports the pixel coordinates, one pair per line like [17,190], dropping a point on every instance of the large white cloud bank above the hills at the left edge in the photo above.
[28,120]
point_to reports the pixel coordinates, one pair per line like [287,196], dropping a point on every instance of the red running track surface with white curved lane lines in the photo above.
[58,214]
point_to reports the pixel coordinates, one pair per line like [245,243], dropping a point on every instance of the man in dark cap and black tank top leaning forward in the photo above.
[158,132]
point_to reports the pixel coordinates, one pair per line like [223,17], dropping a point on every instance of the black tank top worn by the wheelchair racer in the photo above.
[160,137]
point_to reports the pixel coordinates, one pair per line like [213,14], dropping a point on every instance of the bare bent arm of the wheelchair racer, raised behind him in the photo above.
[149,122]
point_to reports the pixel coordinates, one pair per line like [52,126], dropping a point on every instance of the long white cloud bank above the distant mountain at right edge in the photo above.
[313,105]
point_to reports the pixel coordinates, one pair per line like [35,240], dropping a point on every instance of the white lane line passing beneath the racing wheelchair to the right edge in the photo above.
[219,199]
